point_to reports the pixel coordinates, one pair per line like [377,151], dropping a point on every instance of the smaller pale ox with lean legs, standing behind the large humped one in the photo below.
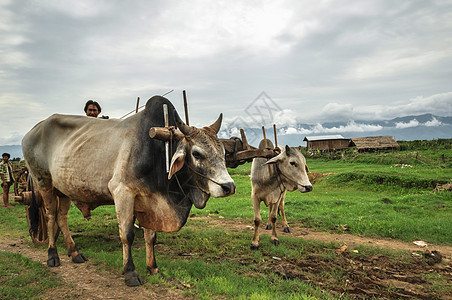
[288,173]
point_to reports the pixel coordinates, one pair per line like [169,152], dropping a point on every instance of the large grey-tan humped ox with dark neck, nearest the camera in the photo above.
[97,161]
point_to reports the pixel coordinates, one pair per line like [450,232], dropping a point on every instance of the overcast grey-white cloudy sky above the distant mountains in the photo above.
[317,60]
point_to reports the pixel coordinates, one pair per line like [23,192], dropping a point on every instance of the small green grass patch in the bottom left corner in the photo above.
[22,278]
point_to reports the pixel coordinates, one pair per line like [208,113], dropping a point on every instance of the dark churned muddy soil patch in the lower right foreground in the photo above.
[364,277]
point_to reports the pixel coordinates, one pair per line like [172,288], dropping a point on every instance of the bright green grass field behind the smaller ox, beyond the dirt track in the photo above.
[373,200]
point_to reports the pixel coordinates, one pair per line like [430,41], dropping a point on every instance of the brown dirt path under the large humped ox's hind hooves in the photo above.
[84,281]
